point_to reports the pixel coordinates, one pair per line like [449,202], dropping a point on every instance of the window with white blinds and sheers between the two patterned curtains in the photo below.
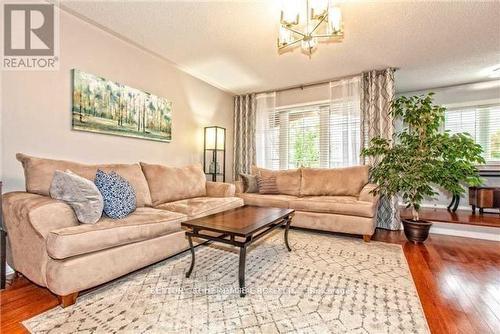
[324,134]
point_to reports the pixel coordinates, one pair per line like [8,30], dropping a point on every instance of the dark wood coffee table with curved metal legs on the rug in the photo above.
[238,227]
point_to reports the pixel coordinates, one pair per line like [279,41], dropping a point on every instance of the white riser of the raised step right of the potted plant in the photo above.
[467,231]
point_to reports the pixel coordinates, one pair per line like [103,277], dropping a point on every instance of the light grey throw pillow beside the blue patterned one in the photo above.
[80,193]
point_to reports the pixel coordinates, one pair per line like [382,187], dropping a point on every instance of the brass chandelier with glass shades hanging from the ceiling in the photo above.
[307,23]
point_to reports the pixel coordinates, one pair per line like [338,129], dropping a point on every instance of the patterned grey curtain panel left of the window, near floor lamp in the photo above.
[244,134]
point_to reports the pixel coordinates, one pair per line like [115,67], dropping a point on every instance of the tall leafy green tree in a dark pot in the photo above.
[421,158]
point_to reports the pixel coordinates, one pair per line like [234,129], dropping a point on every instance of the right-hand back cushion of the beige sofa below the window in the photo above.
[333,181]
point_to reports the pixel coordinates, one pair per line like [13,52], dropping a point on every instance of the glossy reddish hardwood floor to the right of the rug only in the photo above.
[457,279]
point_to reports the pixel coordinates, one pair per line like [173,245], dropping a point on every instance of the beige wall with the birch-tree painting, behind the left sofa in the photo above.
[36,106]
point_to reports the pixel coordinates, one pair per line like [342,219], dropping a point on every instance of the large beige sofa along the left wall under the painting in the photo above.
[51,248]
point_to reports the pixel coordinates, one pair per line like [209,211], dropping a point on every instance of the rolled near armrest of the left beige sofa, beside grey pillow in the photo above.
[28,219]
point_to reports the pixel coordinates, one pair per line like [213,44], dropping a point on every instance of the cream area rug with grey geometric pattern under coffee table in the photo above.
[327,284]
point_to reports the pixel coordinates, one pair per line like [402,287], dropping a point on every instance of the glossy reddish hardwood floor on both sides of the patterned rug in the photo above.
[457,279]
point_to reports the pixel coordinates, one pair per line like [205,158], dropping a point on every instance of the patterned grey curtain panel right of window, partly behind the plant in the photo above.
[377,94]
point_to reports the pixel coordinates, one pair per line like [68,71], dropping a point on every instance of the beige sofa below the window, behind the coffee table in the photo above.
[335,200]
